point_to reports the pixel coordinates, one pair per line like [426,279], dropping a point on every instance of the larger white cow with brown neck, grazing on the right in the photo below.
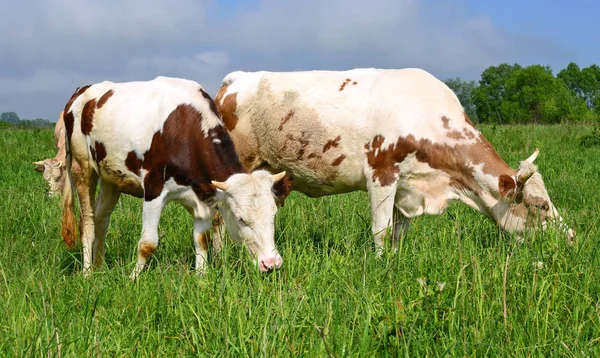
[401,135]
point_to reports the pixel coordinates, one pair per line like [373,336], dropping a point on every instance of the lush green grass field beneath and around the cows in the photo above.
[456,287]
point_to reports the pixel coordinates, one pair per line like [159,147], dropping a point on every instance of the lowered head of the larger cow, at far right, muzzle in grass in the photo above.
[525,203]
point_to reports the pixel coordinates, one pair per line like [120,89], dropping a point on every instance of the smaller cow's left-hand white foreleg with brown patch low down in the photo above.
[149,241]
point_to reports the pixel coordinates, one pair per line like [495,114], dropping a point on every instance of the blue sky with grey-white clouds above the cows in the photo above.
[48,48]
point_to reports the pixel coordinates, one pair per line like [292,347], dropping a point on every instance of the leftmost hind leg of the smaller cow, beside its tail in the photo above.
[85,183]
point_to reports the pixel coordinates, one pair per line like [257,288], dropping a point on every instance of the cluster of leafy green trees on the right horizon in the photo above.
[509,94]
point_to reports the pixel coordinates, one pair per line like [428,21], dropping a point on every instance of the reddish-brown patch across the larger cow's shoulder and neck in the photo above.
[451,160]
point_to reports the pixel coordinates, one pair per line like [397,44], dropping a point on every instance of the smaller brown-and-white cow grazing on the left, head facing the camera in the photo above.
[162,140]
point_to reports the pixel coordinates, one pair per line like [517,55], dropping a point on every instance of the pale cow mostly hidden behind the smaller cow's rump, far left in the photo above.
[53,169]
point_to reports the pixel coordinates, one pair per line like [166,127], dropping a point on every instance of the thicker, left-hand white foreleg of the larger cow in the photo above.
[381,199]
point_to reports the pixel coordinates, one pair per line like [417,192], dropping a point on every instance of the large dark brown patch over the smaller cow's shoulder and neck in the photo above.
[183,153]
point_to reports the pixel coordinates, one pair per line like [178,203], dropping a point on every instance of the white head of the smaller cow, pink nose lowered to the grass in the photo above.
[247,203]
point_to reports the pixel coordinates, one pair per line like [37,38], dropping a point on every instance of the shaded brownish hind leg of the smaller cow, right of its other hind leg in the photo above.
[107,199]
